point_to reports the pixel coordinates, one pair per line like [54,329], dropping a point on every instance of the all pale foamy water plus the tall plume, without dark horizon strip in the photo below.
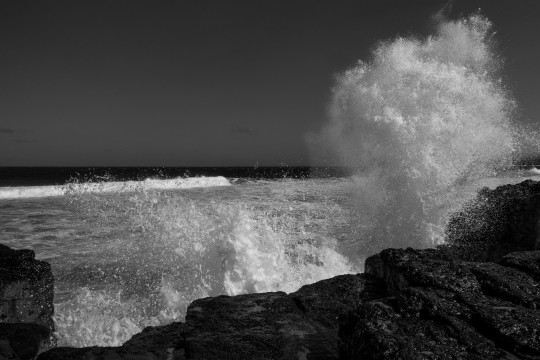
[421,126]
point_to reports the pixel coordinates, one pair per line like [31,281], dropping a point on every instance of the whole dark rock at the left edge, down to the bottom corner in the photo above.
[26,304]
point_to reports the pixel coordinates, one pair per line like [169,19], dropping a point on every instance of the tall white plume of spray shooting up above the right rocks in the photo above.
[420,119]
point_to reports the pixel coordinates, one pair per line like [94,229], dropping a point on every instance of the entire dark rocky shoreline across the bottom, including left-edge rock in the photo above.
[476,298]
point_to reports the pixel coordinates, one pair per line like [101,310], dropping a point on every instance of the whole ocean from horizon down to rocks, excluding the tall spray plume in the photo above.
[135,252]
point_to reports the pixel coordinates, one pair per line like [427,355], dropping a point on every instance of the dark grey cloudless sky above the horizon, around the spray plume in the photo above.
[206,83]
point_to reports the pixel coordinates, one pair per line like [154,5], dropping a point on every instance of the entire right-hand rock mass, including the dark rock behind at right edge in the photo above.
[476,298]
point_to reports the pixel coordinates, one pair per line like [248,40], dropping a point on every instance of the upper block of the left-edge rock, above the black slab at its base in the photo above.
[26,288]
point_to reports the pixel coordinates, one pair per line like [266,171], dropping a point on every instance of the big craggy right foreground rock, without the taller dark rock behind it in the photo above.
[446,309]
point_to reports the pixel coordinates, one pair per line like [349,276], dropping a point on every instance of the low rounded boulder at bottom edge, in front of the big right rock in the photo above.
[376,331]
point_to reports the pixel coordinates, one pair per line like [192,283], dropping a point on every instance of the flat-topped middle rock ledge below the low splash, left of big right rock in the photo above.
[276,325]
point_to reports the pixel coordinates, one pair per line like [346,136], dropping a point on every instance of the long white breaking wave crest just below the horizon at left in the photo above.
[17,192]
